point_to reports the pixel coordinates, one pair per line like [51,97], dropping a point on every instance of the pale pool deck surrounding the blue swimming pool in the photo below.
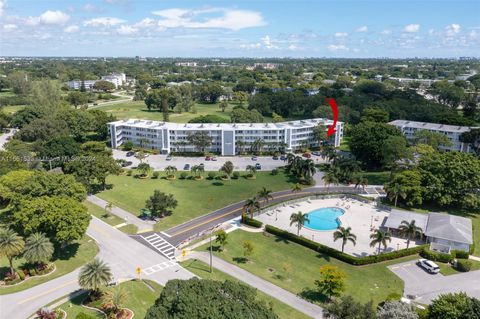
[358,215]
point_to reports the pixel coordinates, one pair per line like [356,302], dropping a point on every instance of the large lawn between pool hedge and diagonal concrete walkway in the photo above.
[295,268]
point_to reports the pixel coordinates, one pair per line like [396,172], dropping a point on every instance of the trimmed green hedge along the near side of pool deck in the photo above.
[357,261]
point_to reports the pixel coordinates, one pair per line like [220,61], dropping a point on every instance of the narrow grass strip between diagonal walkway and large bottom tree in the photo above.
[282,310]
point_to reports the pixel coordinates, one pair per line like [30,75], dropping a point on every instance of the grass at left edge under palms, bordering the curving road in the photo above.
[67,260]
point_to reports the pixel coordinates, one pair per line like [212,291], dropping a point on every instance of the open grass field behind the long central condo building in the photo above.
[138,109]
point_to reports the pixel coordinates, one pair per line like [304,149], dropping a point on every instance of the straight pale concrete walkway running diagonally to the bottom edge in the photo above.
[270,289]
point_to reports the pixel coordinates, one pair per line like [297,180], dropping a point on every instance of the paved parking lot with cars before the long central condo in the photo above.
[159,162]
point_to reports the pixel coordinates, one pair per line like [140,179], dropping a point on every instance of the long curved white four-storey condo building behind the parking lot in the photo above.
[227,139]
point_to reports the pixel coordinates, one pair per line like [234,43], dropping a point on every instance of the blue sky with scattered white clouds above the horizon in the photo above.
[261,28]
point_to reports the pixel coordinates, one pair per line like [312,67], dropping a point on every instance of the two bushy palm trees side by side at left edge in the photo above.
[37,249]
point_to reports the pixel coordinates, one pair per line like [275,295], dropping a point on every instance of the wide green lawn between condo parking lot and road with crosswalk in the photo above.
[194,198]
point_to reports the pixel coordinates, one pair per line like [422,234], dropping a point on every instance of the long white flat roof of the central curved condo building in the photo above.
[210,126]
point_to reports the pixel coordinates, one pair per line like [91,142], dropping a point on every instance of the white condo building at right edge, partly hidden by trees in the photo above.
[453,132]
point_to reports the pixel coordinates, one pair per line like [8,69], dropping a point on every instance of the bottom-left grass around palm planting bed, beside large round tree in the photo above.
[140,299]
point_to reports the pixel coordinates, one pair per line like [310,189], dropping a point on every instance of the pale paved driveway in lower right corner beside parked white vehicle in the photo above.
[426,287]
